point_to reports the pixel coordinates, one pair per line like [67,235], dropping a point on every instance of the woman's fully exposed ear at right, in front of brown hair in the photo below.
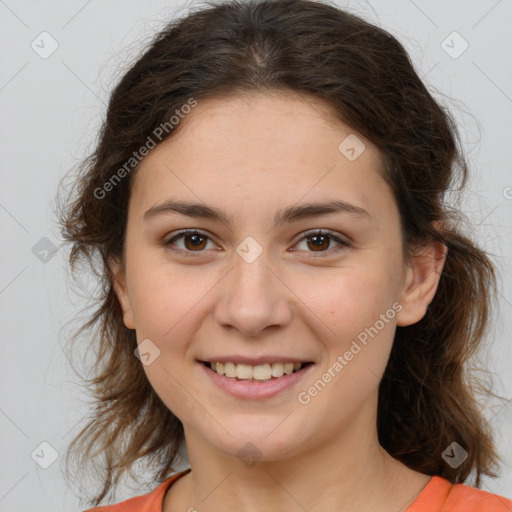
[420,283]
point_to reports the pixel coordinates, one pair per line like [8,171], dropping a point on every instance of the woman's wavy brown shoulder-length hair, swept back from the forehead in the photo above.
[428,397]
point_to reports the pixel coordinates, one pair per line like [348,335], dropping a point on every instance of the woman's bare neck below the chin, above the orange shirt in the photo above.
[349,471]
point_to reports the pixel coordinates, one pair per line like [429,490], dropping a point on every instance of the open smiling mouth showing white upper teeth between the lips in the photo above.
[259,373]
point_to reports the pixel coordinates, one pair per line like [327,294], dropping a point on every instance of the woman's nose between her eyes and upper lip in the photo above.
[253,298]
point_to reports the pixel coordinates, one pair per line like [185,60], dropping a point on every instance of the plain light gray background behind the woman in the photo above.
[51,109]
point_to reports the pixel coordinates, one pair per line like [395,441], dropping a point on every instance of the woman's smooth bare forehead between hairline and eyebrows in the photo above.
[261,148]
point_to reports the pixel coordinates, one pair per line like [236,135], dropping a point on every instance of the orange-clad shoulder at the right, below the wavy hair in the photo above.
[439,495]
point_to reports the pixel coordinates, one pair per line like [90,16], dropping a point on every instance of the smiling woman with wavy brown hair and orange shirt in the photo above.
[285,289]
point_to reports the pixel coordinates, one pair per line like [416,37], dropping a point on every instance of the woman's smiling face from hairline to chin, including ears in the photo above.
[262,278]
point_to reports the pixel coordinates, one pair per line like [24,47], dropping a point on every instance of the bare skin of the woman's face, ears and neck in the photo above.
[251,156]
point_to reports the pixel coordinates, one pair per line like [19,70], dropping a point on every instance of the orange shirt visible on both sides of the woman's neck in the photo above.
[439,495]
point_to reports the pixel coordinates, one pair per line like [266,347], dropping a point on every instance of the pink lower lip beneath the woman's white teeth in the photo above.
[253,389]
